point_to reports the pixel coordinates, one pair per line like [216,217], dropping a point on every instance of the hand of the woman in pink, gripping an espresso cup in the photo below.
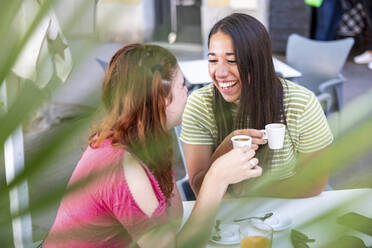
[235,166]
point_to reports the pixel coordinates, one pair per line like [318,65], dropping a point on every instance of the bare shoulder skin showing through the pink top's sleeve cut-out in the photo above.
[139,184]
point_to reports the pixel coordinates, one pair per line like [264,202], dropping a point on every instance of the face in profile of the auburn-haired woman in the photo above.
[176,106]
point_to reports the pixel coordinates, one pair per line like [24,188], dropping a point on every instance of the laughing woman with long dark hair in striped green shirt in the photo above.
[245,95]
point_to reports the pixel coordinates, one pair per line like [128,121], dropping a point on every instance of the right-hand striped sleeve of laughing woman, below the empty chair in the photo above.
[315,133]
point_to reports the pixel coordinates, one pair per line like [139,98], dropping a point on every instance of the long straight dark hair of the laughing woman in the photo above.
[261,99]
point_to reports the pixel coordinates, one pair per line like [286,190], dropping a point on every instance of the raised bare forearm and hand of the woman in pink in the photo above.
[196,231]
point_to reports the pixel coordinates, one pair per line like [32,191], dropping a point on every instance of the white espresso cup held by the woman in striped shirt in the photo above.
[274,133]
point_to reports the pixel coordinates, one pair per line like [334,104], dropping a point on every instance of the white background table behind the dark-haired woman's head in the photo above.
[196,71]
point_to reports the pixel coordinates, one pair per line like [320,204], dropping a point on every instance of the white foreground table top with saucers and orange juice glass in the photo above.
[301,211]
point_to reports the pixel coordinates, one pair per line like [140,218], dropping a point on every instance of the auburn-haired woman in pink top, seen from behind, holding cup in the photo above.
[127,194]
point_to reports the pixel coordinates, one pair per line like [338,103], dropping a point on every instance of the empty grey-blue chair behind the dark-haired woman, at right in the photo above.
[320,63]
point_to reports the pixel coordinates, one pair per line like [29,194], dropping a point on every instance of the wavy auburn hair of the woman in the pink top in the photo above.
[135,90]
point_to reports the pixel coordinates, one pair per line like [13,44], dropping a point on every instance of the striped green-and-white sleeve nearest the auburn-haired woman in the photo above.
[198,119]
